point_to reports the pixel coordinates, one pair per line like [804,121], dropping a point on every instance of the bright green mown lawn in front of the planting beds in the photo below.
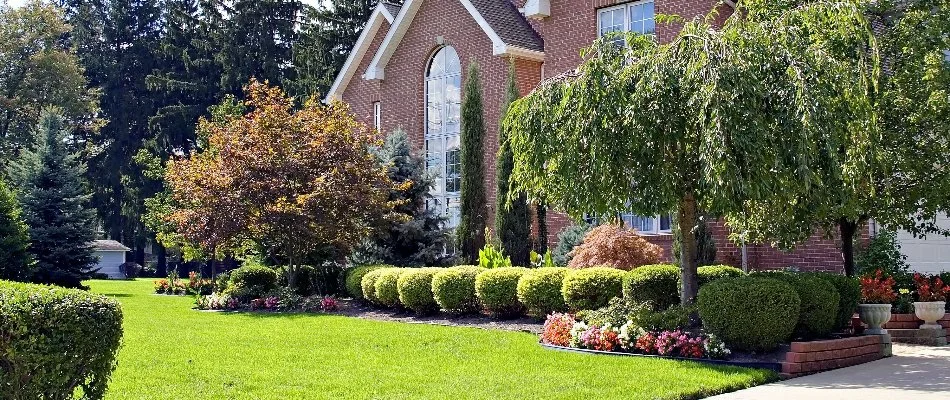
[173,352]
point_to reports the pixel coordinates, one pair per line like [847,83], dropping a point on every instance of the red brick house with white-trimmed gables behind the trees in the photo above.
[407,68]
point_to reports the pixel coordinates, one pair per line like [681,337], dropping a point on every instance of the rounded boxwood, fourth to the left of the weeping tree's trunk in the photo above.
[497,291]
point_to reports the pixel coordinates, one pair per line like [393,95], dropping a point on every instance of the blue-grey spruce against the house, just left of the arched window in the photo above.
[419,239]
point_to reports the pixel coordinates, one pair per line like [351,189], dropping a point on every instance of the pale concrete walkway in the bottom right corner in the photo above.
[914,372]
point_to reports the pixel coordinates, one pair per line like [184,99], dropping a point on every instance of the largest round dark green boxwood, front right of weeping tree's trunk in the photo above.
[747,313]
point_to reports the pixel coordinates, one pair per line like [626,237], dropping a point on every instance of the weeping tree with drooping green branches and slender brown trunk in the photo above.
[710,121]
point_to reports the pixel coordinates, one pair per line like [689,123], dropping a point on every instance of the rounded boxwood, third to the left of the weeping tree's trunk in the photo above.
[540,290]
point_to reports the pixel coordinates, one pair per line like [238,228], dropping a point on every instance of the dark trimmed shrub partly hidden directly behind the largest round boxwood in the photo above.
[819,302]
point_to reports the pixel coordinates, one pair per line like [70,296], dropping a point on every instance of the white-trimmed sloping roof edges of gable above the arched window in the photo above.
[508,30]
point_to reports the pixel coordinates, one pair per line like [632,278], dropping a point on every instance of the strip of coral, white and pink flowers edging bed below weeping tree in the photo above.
[564,330]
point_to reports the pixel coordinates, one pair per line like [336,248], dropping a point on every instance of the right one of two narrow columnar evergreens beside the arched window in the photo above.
[512,219]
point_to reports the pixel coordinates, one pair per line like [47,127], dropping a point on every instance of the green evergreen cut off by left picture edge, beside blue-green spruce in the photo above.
[14,241]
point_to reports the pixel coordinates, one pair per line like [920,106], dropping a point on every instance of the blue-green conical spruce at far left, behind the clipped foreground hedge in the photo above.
[55,206]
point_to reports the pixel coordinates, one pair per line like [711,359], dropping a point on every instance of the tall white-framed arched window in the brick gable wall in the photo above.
[443,108]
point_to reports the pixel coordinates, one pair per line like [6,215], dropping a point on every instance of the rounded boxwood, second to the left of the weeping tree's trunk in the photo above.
[591,288]
